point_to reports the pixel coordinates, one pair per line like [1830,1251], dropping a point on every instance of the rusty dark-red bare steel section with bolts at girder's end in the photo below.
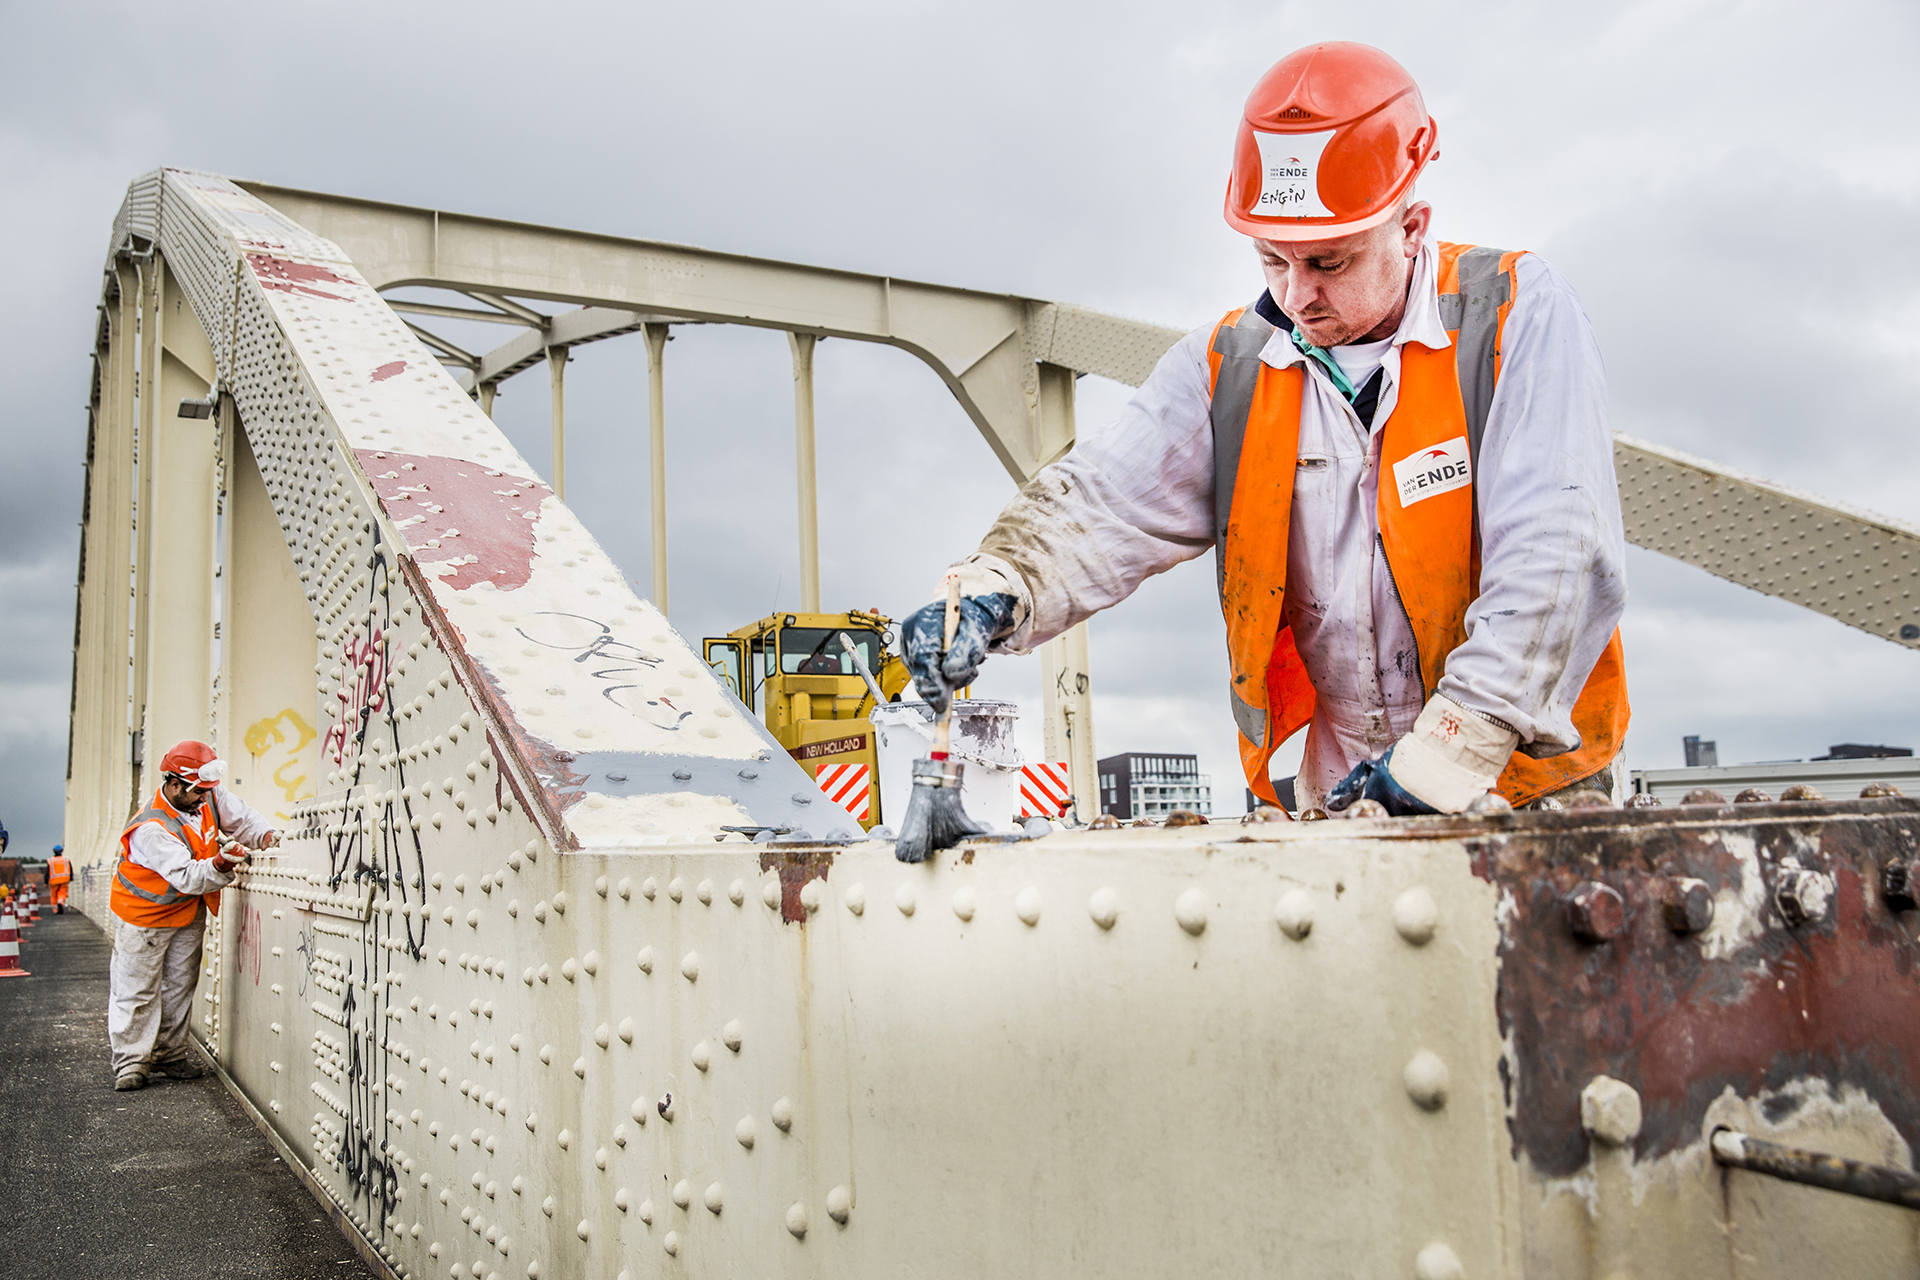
[1754,1003]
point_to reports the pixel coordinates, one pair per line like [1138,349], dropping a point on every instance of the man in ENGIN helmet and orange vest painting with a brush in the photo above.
[1403,460]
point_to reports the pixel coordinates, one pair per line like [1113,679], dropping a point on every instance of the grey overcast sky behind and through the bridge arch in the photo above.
[1733,189]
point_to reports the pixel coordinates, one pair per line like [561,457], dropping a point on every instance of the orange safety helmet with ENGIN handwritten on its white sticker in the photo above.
[1332,141]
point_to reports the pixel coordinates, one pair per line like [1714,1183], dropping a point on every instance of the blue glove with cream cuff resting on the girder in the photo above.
[1449,761]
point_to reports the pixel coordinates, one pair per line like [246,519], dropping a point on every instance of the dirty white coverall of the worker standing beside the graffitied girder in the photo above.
[151,985]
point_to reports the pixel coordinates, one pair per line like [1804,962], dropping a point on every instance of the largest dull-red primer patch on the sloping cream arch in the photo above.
[468,508]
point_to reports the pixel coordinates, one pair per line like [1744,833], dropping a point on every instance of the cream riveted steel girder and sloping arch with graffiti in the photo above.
[523,1022]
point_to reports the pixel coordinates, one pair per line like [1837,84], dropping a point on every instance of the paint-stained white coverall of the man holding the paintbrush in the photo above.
[1138,498]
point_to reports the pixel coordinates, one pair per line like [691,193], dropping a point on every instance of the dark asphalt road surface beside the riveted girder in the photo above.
[168,1181]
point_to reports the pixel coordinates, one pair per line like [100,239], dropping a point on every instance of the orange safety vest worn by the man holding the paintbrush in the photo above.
[1431,546]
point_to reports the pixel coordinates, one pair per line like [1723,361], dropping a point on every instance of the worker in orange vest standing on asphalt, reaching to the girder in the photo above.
[170,876]
